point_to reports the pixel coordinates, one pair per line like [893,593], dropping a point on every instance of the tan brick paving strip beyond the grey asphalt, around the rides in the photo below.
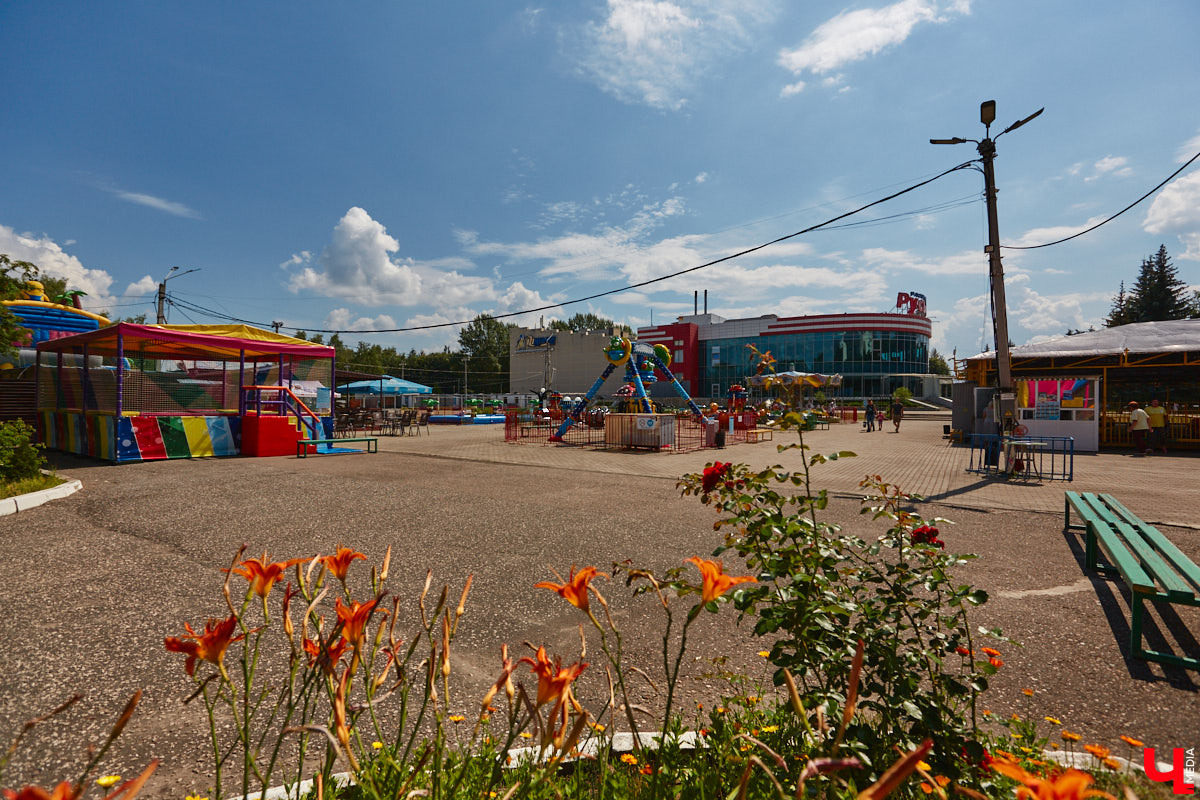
[1162,489]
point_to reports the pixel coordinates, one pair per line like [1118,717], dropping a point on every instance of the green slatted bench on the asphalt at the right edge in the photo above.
[1150,564]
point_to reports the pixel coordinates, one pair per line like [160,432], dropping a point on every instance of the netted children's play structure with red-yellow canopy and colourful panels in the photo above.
[140,393]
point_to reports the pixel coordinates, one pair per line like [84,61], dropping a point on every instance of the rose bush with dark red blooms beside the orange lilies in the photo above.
[836,605]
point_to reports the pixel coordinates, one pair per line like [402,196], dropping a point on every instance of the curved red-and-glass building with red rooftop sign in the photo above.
[874,353]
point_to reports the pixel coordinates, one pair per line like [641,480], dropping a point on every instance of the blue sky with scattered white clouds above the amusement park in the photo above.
[391,165]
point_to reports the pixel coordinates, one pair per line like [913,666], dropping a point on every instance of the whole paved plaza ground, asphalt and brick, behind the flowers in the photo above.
[94,582]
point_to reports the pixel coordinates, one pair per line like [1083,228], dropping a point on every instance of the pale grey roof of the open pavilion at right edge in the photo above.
[1168,336]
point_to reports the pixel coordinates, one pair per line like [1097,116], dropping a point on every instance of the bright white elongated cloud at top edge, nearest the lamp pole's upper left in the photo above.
[856,35]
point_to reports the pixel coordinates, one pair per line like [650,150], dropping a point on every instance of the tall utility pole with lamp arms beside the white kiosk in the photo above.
[987,149]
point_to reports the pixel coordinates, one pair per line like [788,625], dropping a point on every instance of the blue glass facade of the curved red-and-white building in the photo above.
[871,363]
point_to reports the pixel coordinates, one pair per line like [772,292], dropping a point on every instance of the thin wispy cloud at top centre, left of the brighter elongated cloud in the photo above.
[652,52]
